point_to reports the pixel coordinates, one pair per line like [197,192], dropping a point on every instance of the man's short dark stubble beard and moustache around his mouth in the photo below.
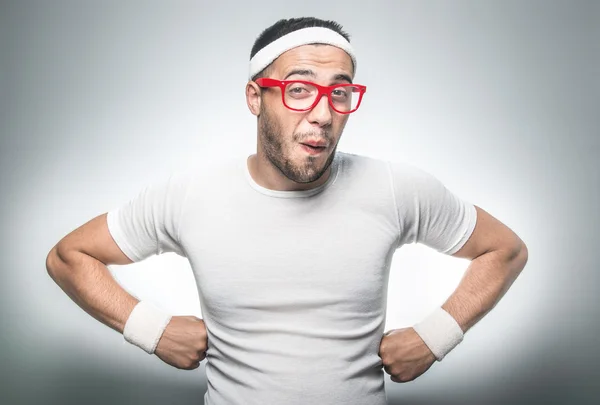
[272,145]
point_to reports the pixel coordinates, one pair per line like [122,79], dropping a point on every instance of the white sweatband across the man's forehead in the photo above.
[304,36]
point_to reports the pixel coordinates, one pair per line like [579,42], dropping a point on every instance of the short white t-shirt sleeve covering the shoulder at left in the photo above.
[148,224]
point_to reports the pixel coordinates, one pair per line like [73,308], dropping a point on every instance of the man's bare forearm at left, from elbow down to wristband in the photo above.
[89,283]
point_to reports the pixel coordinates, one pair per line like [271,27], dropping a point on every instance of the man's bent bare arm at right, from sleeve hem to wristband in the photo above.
[497,257]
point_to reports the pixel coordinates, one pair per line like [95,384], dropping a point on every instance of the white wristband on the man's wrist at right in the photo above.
[440,332]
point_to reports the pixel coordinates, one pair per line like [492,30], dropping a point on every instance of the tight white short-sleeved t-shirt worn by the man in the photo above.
[293,284]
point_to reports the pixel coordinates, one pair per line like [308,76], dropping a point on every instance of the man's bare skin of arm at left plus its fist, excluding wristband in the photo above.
[78,265]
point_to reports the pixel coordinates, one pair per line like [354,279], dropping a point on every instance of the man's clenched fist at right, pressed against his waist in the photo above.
[404,355]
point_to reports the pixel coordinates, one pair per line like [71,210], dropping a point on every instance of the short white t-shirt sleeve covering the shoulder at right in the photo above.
[428,212]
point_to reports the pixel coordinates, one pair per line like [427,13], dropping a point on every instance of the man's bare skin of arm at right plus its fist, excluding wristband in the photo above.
[497,257]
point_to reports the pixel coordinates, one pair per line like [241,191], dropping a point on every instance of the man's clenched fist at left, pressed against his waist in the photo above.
[183,343]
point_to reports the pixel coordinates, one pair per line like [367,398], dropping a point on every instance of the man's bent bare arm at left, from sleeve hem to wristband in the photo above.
[77,263]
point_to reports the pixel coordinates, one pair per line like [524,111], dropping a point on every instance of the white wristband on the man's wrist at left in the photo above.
[145,326]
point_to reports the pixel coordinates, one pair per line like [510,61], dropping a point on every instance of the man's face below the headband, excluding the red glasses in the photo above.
[281,131]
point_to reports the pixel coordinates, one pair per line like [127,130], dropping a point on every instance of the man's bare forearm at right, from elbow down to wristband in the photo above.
[485,282]
